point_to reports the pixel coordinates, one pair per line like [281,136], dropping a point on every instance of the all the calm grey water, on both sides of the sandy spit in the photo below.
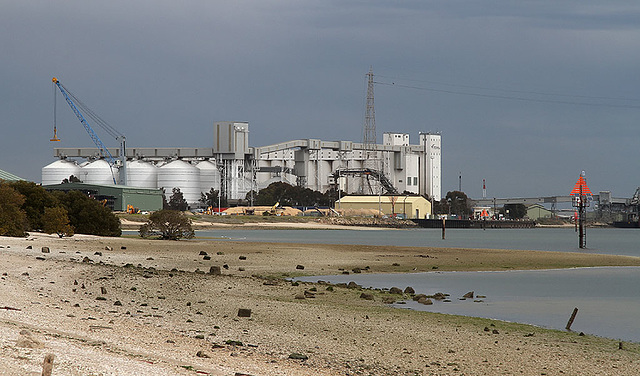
[608,299]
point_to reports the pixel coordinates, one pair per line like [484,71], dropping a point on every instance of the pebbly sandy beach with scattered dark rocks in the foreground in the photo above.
[124,306]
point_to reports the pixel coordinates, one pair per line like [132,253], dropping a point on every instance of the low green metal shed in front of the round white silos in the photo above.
[116,197]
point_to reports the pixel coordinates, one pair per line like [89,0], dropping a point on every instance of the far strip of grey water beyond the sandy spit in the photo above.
[599,240]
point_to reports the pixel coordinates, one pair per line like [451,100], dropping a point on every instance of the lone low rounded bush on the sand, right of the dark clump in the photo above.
[168,224]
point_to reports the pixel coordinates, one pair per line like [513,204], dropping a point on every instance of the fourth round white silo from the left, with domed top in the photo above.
[182,175]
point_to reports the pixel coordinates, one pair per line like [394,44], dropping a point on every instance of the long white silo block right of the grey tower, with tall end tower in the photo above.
[321,165]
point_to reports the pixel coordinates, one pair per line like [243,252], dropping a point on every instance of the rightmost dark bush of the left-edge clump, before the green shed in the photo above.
[88,216]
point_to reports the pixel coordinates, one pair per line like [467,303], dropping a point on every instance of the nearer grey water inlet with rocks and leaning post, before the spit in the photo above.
[608,299]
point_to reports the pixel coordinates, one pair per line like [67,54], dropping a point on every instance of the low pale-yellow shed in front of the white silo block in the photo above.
[409,207]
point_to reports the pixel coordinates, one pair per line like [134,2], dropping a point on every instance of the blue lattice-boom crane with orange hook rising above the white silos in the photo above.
[103,150]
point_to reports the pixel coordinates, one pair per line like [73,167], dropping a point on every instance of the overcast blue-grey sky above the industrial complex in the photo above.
[526,94]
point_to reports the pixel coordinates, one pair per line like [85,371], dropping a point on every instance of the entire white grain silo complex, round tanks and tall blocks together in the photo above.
[234,168]
